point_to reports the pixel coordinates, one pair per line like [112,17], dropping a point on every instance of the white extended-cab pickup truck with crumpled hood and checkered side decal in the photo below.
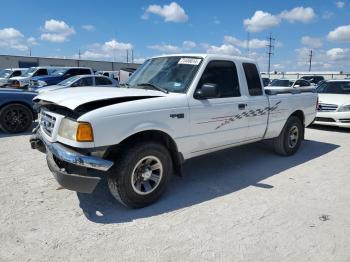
[171,109]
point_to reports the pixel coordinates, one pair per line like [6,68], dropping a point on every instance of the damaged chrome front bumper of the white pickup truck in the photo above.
[57,153]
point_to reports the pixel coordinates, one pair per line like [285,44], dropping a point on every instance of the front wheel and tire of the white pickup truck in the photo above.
[132,172]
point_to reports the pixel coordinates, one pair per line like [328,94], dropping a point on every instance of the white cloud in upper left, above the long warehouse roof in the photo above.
[56,31]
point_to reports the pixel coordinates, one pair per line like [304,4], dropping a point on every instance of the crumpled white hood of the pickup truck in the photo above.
[74,97]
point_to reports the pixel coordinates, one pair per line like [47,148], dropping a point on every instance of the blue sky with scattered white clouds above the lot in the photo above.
[103,30]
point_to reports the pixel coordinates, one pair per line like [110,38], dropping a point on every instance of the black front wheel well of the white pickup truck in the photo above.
[157,136]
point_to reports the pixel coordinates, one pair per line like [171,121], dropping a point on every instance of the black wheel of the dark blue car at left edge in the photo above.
[15,118]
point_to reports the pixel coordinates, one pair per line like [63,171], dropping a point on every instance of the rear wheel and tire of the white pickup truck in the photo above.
[289,140]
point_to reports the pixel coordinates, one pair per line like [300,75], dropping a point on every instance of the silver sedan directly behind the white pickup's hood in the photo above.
[83,80]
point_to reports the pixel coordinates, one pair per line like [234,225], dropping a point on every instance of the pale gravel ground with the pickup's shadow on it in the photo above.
[243,204]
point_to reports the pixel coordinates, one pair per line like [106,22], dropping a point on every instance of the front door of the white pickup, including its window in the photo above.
[218,122]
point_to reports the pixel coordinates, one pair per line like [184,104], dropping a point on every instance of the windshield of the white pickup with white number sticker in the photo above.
[173,74]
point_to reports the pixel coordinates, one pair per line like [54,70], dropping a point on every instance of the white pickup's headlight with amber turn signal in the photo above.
[77,131]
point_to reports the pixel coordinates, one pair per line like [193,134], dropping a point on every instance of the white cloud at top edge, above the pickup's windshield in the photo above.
[171,13]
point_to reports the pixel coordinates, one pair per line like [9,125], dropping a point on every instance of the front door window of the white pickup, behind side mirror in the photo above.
[224,75]
